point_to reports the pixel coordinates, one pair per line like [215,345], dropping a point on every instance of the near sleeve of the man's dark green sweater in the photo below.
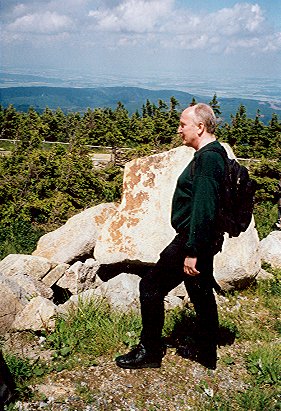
[205,202]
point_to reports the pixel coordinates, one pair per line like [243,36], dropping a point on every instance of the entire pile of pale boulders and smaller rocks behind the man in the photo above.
[125,238]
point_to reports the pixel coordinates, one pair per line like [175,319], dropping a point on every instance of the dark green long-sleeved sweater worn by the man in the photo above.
[196,200]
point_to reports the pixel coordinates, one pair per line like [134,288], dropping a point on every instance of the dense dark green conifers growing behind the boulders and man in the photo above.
[41,186]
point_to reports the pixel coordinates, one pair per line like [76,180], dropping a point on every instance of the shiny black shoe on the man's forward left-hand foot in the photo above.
[140,357]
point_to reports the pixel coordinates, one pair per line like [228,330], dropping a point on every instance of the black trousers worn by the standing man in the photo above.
[166,275]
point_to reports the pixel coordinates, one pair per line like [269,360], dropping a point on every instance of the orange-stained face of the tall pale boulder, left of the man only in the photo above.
[141,228]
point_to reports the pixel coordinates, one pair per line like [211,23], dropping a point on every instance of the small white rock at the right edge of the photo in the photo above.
[270,249]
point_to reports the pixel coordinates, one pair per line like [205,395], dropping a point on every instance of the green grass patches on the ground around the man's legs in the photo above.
[93,330]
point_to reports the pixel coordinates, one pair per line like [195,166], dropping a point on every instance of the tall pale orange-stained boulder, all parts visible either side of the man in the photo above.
[141,228]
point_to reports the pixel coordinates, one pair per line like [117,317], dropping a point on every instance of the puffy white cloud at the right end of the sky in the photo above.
[227,31]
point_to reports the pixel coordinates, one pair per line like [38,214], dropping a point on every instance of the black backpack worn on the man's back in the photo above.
[237,198]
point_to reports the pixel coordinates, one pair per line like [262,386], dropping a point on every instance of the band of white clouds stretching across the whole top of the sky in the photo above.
[144,23]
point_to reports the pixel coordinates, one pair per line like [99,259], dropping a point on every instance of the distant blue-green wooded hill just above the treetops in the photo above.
[79,99]
